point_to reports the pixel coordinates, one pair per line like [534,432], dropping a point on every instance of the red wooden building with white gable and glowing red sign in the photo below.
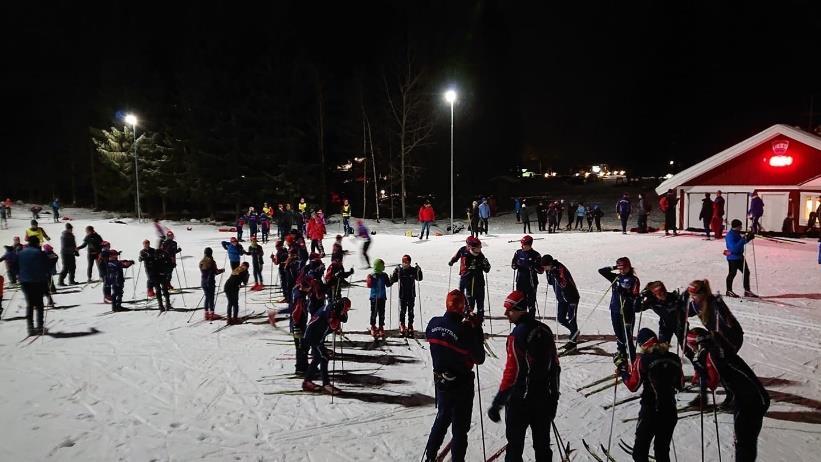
[782,164]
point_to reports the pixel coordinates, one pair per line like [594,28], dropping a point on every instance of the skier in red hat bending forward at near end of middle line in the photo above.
[327,319]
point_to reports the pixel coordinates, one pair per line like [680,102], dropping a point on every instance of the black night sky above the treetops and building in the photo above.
[632,84]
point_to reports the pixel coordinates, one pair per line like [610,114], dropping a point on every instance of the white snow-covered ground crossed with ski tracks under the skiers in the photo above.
[137,386]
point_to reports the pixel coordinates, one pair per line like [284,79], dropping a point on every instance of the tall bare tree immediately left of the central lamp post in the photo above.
[409,106]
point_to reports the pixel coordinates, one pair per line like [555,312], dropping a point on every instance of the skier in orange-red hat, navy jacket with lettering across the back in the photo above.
[456,344]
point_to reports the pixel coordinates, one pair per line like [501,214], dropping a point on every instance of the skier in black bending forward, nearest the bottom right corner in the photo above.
[752,399]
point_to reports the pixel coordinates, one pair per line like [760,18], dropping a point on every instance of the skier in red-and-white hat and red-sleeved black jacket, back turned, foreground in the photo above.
[529,390]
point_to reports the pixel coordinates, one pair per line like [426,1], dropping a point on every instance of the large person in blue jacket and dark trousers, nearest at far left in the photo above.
[34,274]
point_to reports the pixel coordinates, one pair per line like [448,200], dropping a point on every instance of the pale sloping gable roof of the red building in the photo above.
[734,151]
